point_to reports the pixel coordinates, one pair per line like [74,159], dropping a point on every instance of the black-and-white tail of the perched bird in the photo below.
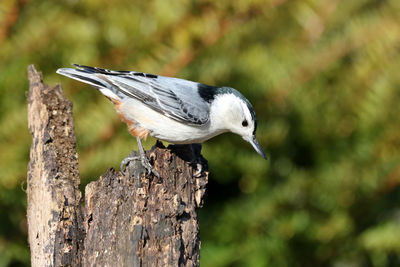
[90,76]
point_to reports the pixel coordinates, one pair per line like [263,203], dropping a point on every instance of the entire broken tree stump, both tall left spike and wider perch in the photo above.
[134,219]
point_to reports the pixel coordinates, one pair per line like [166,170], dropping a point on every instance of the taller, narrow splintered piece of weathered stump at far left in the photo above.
[54,211]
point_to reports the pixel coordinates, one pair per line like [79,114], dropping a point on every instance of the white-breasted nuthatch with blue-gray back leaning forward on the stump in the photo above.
[170,109]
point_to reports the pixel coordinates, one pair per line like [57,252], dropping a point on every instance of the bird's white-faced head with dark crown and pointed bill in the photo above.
[233,112]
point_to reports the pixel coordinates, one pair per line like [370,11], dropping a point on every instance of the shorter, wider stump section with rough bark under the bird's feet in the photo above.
[140,220]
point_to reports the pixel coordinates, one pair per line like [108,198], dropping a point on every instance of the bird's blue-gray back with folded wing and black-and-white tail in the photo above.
[176,98]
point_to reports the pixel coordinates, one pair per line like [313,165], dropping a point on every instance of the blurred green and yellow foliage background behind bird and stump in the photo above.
[323,76]
